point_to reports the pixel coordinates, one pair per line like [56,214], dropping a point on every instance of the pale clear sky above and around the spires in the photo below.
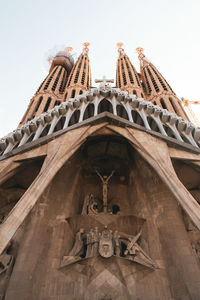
[29,30]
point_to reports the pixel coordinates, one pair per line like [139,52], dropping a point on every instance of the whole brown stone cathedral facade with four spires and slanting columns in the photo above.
[100,189]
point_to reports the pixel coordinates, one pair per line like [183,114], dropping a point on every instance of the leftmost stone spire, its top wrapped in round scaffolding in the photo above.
[51,91]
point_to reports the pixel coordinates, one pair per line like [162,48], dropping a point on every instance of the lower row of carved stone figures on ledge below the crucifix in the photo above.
[106,244]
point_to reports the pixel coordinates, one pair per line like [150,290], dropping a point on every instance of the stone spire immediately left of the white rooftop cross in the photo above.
[80,77]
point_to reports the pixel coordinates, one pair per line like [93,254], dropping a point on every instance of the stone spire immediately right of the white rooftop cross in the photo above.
[127,78]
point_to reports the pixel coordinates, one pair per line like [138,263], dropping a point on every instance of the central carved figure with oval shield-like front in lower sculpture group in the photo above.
[106,248]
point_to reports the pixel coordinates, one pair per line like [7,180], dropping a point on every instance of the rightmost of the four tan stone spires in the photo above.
[157,89]
